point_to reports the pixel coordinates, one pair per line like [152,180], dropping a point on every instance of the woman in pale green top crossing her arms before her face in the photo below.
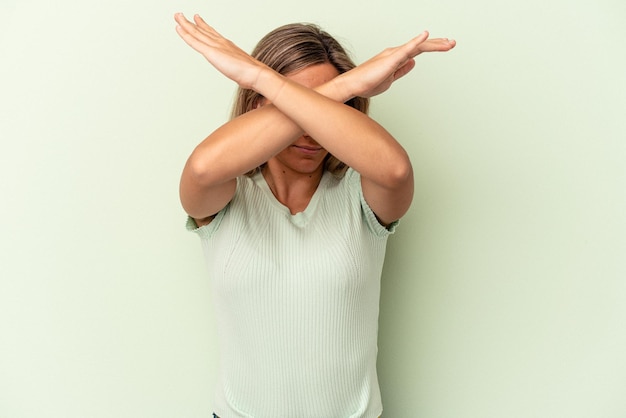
[294,199]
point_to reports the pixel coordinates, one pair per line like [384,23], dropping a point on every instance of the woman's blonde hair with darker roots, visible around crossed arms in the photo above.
[291,48]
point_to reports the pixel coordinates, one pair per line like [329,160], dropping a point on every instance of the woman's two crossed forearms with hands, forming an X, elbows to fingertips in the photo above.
[349,135]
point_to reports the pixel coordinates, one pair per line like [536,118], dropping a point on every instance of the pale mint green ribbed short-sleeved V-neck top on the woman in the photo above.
[296,300]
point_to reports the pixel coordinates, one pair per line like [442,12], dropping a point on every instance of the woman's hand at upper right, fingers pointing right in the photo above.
[377,74]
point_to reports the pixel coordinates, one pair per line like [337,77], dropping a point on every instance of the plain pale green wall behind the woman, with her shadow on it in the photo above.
[504,290]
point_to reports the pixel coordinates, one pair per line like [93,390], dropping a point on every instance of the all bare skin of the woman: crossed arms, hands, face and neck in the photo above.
[285,131]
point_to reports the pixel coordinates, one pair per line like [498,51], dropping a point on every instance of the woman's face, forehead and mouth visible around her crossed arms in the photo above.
[305,155]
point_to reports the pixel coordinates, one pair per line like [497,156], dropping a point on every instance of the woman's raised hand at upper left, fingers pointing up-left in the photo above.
[223,54]
